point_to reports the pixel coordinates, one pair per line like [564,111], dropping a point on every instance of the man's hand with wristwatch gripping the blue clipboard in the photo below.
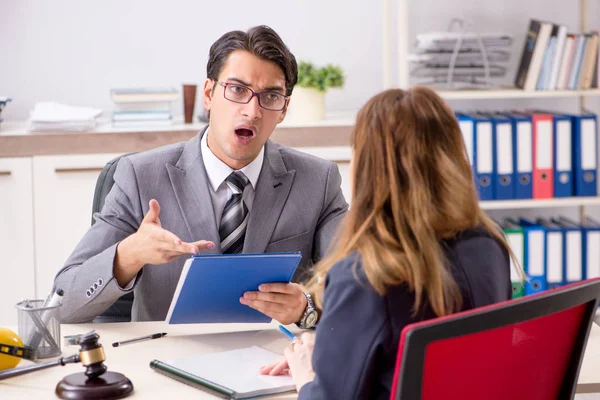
[284,302]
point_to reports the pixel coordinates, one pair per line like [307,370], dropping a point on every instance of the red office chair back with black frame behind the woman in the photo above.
[527,348]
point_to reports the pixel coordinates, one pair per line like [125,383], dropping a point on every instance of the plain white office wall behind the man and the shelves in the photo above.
[75,51]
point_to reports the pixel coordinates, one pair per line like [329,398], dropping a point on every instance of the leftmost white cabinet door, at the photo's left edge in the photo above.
[16,236]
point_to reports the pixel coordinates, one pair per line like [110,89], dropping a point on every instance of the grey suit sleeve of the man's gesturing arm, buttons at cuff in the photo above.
[87,276]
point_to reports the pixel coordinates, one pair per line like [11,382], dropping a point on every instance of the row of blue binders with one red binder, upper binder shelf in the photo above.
[531,154]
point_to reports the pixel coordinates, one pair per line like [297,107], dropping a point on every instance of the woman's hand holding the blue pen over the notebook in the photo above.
[299,359]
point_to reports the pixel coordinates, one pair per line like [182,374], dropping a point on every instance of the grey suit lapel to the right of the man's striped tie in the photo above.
[272,190]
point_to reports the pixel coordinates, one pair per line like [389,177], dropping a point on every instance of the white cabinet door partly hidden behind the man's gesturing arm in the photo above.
[63,194]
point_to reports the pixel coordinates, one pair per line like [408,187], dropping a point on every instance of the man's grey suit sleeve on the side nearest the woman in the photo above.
[334,209]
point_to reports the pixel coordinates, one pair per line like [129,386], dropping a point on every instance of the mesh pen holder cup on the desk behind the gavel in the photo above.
[39,327]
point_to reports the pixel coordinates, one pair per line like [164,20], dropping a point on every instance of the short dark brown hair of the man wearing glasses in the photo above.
[260,41]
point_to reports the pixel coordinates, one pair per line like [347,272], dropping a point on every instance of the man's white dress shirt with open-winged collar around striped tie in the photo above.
[217,171]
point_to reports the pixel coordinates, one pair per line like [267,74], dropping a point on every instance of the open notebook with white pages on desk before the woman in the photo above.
[231,374]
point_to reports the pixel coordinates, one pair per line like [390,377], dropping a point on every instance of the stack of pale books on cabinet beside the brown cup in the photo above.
[143,106]
